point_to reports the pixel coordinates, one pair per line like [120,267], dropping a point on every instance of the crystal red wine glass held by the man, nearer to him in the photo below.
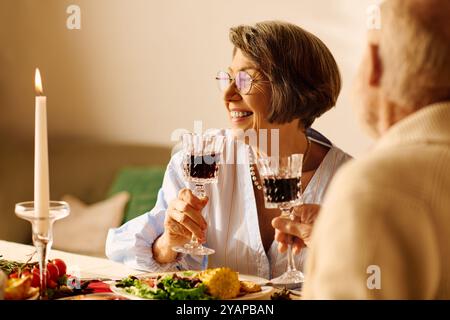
[281,179]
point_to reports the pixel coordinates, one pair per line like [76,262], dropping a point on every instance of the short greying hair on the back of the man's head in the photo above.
[415,51]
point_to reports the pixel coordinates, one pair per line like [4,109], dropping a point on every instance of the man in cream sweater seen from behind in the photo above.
[384,229]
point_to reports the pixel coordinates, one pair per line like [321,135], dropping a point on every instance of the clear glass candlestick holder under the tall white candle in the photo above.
[42,231]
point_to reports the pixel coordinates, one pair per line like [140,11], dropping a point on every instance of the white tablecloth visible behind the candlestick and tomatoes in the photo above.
[77,265]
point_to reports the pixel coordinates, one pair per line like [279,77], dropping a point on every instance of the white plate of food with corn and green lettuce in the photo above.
[211,284]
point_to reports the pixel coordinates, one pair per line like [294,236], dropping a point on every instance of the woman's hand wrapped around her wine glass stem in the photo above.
[183,219]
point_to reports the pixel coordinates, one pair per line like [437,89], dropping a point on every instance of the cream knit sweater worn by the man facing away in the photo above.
[384,229]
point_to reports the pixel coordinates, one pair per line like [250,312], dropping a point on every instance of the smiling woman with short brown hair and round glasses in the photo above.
[281,77]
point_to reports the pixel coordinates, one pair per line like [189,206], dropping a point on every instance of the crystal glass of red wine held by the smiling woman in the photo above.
[201,159]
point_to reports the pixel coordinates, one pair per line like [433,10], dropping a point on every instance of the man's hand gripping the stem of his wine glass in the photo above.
[300,228]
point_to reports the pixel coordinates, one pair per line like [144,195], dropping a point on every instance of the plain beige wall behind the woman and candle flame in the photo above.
[139,69]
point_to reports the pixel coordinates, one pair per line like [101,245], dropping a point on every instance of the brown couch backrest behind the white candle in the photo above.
[80,168]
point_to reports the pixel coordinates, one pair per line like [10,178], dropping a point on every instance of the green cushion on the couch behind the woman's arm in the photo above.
[143,184]
